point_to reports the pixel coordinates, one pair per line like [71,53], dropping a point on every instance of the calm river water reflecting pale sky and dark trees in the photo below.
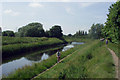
[11,66]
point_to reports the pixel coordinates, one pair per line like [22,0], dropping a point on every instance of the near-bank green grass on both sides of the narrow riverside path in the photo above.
[84,62]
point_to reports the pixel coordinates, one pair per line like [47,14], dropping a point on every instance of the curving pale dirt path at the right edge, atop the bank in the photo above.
[115,58]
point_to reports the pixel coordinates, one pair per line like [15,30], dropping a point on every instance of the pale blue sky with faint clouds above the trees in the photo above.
[71,16]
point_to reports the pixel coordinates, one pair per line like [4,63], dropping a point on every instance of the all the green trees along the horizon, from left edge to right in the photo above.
[110,30]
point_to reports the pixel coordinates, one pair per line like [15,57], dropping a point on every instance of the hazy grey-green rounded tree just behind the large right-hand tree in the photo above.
[96,31]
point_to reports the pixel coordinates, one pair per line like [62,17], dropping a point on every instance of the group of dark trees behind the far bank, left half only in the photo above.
[35,30]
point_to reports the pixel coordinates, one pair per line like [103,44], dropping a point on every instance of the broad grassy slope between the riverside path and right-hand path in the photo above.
[91,61]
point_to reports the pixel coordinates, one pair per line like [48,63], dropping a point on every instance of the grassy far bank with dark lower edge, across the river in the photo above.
[14,48]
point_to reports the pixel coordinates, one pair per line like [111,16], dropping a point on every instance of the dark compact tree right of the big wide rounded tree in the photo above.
[56,31]
